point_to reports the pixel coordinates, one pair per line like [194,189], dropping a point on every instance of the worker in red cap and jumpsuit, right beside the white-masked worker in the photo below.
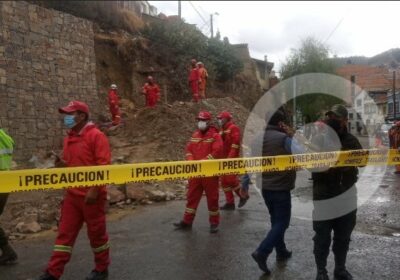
[230,134]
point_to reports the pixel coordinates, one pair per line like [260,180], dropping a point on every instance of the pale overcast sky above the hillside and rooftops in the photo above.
[273,28]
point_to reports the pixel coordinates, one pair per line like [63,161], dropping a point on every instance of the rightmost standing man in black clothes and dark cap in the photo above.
[335,200]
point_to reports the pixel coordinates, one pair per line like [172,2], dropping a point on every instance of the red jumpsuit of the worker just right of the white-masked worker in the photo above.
[231,136]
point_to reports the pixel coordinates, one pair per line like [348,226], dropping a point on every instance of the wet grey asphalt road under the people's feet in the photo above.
[145,245]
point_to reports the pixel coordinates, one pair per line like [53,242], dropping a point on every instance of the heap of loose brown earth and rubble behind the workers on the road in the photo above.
[161,134]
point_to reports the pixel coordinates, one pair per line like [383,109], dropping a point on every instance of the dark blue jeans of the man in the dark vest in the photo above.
[279,206]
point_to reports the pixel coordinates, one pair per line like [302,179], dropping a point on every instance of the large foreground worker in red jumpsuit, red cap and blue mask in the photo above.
[85,145]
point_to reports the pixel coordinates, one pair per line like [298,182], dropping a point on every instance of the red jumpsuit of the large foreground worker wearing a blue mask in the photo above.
[89,147]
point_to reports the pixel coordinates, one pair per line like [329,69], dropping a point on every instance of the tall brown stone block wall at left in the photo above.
[46,59]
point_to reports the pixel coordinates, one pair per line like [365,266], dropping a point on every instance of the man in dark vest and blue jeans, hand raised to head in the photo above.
[276,187]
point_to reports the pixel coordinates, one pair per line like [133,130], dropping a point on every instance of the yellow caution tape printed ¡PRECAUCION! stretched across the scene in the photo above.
[57,178]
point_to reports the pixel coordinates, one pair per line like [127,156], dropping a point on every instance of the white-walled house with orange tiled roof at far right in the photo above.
[371,102]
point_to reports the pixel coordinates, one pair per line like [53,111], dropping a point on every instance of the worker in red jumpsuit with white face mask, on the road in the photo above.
[205,143]
